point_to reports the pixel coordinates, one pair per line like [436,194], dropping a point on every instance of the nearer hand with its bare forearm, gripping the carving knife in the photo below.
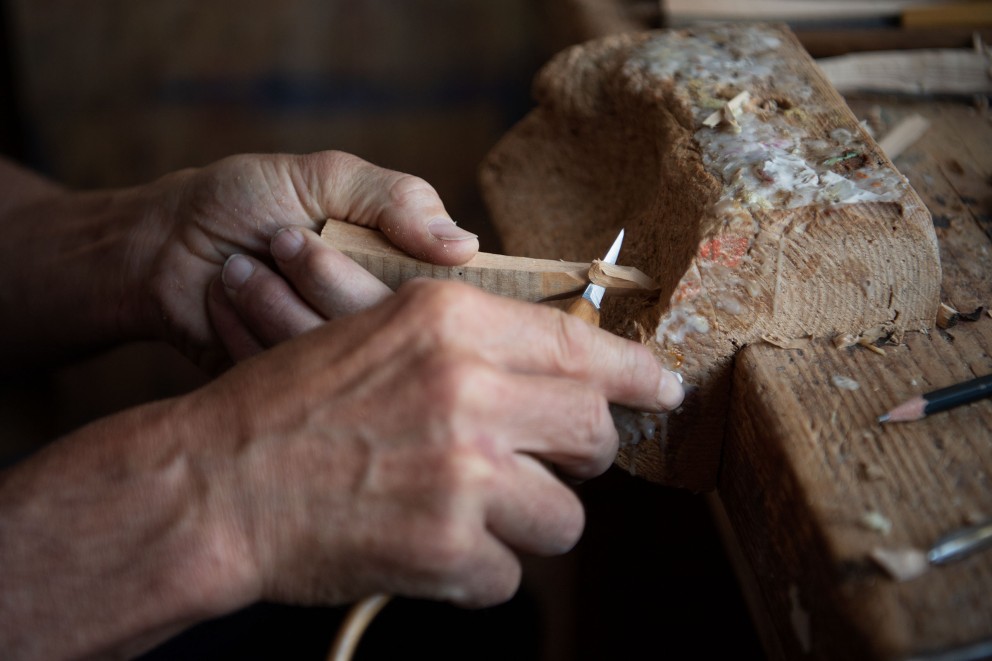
[403,449]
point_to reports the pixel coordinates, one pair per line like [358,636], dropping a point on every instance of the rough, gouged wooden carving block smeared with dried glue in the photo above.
[748,191]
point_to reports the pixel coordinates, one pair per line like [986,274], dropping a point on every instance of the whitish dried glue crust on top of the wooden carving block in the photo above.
[767,160]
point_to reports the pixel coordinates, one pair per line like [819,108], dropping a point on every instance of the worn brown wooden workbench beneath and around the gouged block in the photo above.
[810,483]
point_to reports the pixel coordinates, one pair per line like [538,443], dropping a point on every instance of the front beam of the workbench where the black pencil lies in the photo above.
[814,487]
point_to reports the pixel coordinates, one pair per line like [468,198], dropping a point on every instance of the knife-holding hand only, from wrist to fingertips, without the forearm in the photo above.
[401,449]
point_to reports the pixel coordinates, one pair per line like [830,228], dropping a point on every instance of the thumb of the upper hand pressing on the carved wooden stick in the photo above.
[405,208]
